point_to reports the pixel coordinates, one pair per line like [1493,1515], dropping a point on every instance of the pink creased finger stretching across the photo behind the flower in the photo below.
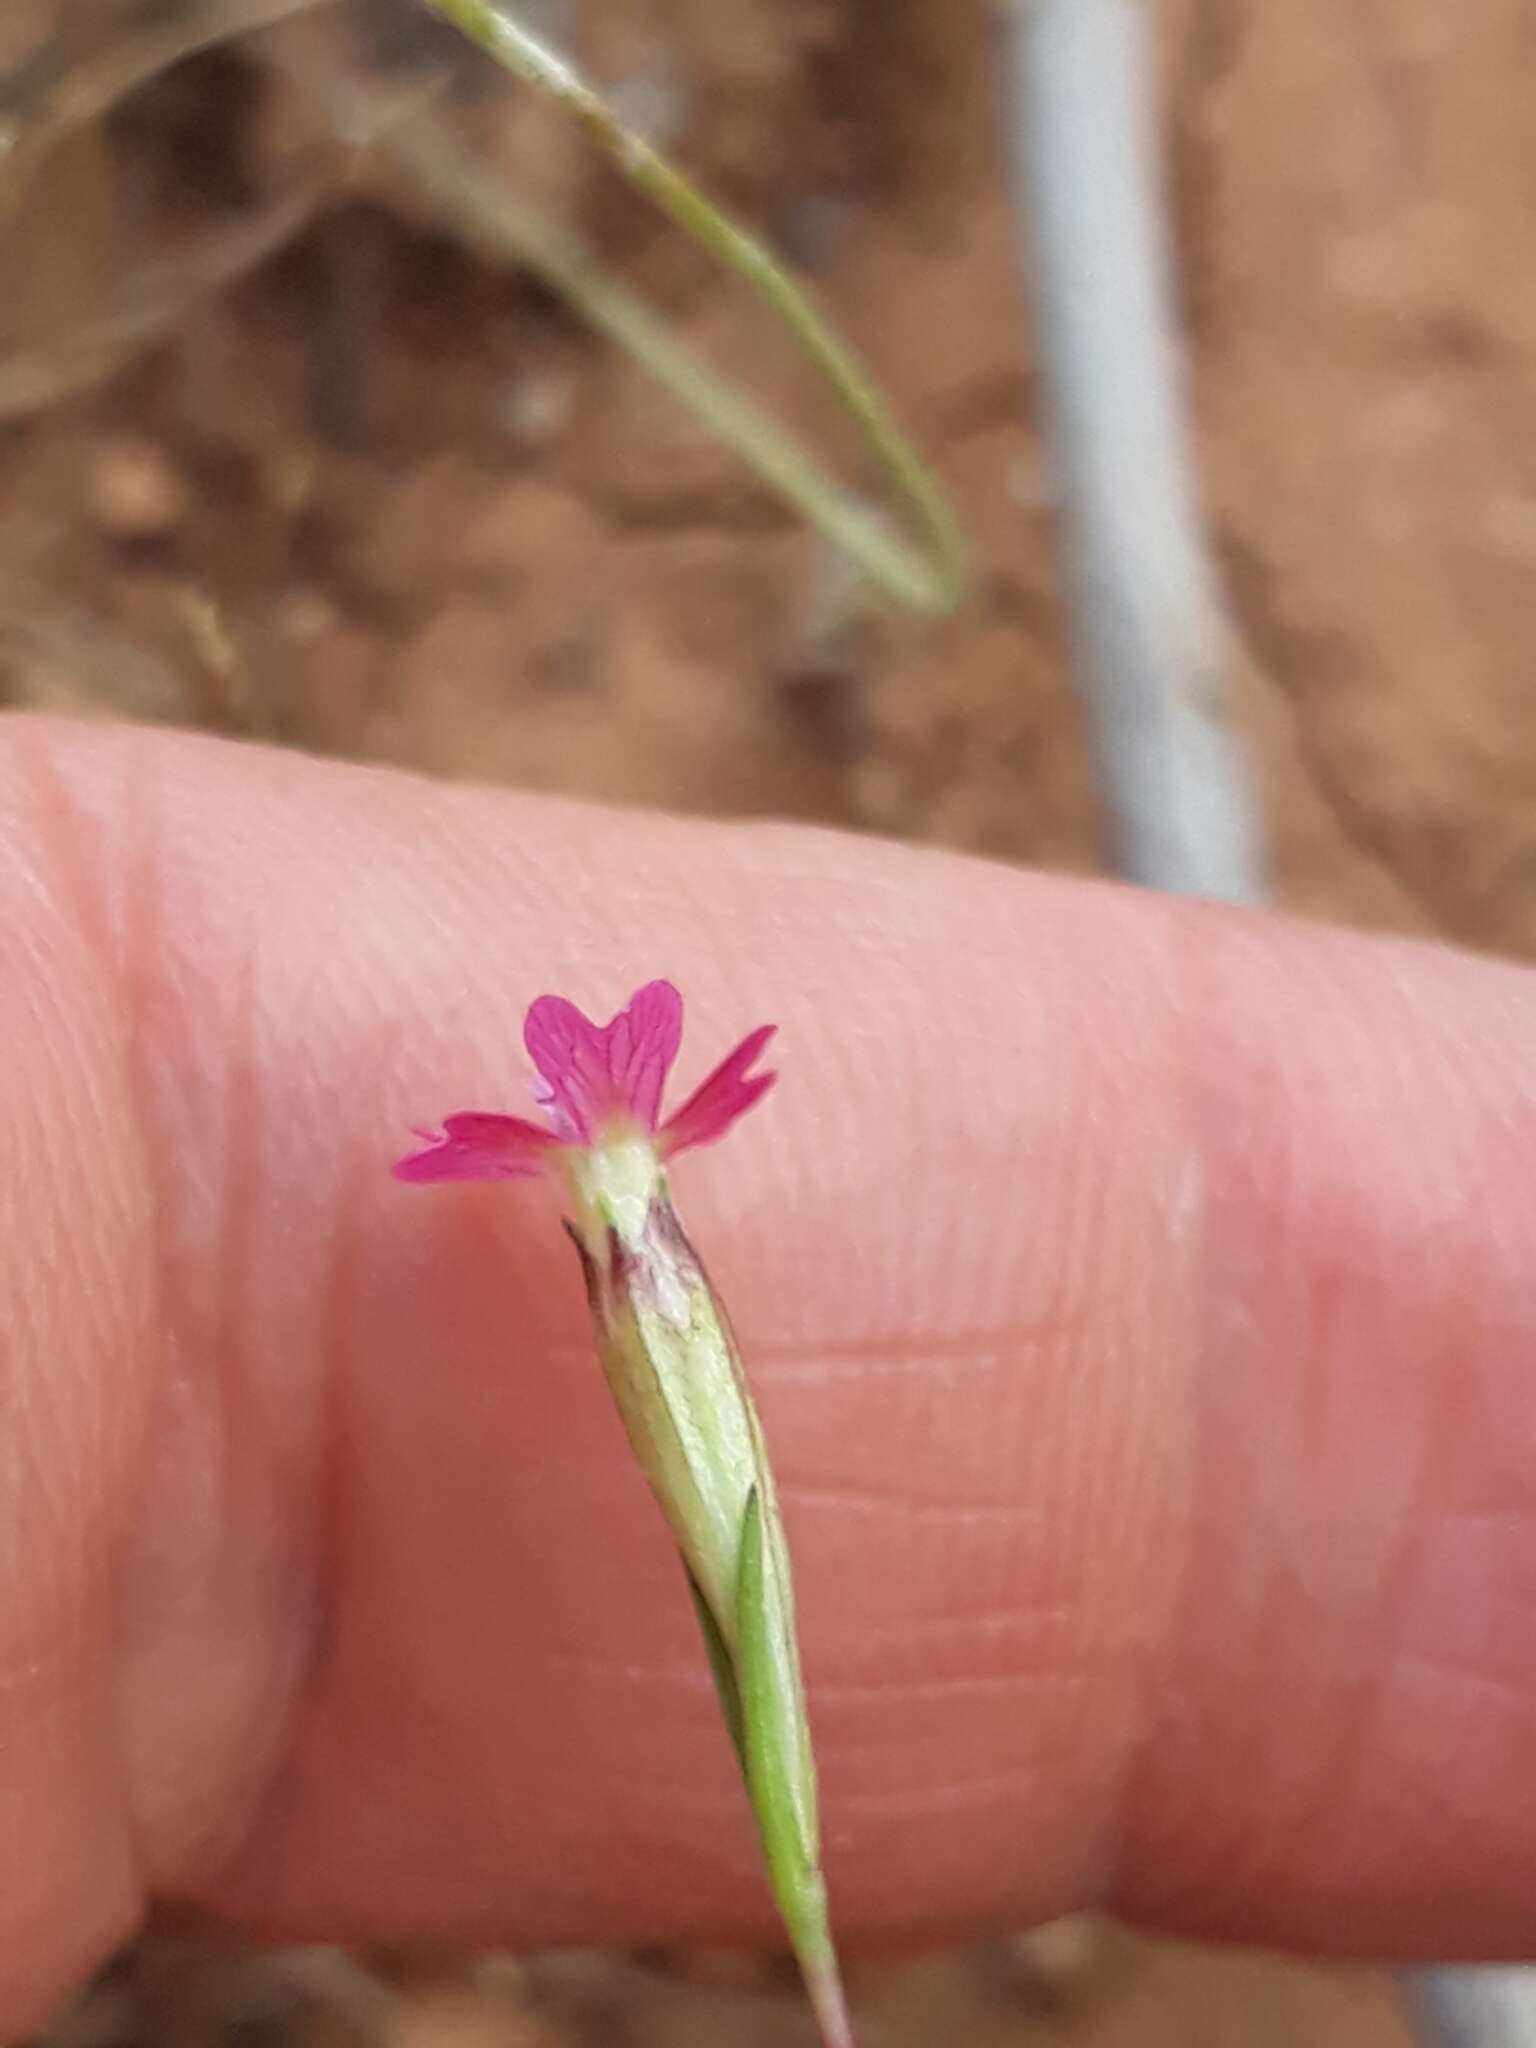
[1140,1299]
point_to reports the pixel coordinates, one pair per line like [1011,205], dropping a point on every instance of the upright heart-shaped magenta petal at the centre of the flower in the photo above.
[593,1072]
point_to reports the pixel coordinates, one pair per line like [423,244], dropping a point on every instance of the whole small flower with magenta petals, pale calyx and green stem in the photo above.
[677,1377]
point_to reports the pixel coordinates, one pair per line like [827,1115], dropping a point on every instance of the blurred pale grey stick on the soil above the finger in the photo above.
[1152,646]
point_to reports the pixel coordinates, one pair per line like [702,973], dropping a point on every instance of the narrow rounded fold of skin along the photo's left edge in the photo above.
[75,1191]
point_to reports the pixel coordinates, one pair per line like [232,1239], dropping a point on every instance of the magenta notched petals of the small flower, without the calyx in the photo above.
[597,1082]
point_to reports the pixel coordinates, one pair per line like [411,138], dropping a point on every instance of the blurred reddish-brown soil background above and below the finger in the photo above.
[296,445]
